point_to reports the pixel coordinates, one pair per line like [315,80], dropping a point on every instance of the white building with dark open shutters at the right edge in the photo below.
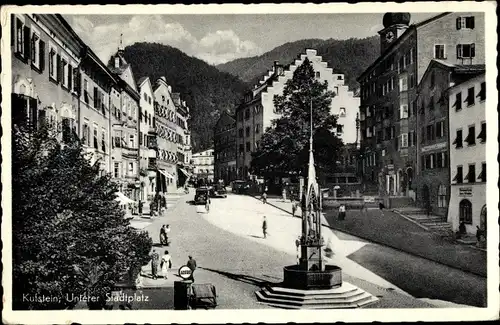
[467,136]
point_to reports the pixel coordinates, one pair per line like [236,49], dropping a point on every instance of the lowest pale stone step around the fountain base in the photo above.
[361,300]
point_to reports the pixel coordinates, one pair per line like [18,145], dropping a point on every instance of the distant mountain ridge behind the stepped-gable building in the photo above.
[351,57]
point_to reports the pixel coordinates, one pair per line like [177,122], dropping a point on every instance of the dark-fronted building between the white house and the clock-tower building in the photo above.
[432,174]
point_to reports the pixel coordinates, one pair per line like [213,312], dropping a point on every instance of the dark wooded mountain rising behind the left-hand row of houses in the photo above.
[206,90]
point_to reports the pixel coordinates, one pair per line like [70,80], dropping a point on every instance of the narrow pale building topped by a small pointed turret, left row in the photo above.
[126,128]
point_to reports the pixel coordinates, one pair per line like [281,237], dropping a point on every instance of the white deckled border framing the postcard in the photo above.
[266,315]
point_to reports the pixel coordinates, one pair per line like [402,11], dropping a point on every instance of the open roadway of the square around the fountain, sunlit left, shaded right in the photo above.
[231,254]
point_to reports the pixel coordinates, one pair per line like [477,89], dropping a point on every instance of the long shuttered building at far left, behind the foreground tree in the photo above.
[58,80]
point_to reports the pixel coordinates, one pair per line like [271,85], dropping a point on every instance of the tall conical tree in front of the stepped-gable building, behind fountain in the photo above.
[284,146]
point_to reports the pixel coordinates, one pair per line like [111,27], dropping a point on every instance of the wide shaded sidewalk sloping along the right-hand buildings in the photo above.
[394,231]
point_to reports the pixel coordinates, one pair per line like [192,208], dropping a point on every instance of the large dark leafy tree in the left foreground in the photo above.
[69,235]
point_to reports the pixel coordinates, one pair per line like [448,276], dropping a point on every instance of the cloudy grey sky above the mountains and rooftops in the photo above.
[221,38]
